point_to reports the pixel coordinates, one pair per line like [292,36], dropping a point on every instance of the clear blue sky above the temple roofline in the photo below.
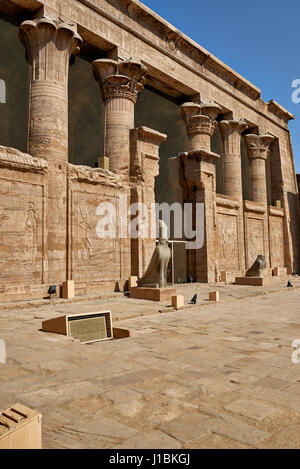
[259,39]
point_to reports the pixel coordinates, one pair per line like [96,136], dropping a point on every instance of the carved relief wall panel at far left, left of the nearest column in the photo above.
[21,233]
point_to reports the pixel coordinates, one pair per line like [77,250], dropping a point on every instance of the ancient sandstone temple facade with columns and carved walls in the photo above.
[102,101]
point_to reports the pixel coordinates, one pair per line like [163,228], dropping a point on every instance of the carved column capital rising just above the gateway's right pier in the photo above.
[201,123]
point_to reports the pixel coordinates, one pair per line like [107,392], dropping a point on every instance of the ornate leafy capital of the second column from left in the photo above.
[120,80]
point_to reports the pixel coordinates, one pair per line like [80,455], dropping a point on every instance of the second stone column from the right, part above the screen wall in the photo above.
[232,170]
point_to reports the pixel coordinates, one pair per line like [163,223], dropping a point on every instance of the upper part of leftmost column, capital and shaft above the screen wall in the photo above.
[49,45]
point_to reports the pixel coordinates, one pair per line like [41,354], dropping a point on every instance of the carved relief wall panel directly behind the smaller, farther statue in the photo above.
[254,240]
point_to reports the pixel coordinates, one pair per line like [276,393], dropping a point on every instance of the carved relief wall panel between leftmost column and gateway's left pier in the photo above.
[94,258]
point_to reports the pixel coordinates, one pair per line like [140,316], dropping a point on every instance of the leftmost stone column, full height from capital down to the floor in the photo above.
[49,44]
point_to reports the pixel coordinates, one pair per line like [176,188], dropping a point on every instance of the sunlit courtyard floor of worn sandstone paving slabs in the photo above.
[209,376]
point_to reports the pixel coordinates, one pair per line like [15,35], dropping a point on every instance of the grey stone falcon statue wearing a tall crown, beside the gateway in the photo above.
[157,271]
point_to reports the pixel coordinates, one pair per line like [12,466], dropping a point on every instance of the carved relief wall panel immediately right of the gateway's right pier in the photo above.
[228,242]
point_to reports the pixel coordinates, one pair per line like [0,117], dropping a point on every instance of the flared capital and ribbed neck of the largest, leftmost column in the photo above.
[46,42]
